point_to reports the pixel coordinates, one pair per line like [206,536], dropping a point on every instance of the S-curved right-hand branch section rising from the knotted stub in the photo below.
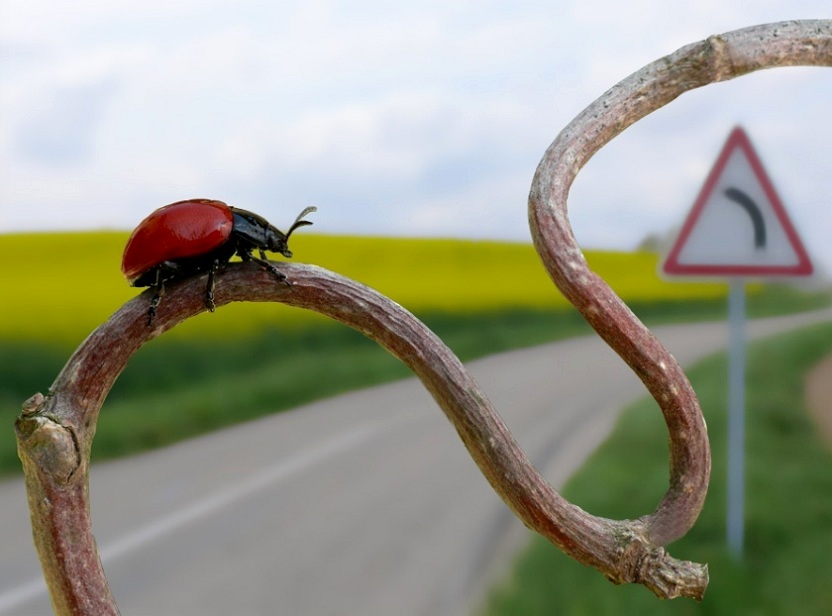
[717,58]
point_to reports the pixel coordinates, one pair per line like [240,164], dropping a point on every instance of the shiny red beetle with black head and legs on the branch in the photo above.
[188,237]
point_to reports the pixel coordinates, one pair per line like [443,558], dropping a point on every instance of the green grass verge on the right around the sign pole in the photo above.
[788,501]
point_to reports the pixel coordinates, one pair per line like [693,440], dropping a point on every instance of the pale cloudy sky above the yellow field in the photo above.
[407,119]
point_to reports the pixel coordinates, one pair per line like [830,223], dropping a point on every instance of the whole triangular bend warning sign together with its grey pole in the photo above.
[737,229]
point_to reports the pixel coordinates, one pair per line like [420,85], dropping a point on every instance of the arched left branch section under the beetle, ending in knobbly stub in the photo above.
[55,433]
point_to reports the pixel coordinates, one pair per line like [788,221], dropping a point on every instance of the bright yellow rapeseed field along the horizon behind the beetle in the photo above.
[57,287]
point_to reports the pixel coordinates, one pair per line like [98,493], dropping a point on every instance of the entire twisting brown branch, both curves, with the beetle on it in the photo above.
[55,432]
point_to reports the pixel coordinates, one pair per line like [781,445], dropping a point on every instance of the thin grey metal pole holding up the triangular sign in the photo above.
[736,416]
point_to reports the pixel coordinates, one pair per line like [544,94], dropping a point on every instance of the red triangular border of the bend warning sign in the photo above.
[737,139]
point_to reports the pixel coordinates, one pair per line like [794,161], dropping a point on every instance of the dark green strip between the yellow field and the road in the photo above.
[174,388]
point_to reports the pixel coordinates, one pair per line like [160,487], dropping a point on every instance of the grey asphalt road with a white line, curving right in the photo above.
[362,504]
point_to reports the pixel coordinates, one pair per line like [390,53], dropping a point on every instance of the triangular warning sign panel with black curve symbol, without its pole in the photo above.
[738,225]
